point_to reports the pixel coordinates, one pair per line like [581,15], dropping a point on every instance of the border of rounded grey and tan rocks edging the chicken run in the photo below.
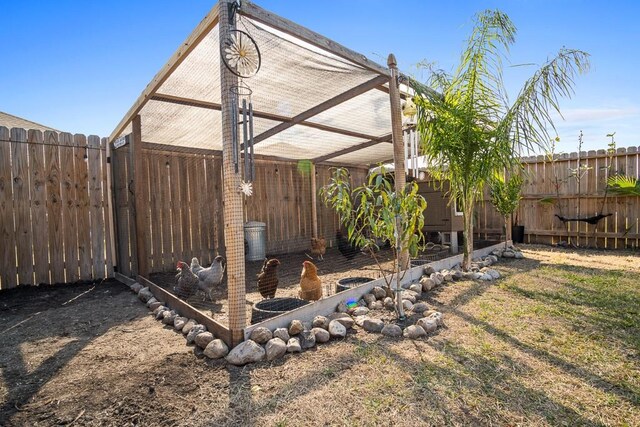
[264,344]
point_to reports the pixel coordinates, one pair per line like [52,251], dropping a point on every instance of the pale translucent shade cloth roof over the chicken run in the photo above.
[334,102]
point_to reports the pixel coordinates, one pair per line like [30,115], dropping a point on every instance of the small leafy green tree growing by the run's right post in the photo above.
[375,212]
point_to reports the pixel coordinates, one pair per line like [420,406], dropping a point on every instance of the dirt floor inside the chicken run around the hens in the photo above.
[330,270]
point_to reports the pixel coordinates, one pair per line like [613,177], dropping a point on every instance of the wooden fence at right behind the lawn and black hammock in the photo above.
[620,230]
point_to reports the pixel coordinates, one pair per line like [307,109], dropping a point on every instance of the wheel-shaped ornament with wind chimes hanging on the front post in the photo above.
[240,54]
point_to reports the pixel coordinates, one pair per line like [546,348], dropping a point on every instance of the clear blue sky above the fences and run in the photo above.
[79,65]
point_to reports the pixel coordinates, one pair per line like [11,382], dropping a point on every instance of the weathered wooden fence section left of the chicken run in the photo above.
[53,208]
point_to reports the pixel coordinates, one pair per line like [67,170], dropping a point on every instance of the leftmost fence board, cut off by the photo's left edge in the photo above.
[8,272]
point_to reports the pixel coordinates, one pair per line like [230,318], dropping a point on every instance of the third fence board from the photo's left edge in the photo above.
[37,170]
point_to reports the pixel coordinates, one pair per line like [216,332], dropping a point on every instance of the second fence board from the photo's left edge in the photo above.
[24,237]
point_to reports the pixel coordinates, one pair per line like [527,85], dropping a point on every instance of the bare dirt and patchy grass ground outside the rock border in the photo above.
[555,342]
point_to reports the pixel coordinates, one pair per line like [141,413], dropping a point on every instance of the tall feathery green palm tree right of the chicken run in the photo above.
[469,129]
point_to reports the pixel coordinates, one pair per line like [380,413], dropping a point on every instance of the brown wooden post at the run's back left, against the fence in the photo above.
[137,176]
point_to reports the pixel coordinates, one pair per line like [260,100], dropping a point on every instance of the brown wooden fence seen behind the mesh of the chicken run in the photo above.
[183,206]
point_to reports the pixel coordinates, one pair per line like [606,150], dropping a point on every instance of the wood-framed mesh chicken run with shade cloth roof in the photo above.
[235,135]
